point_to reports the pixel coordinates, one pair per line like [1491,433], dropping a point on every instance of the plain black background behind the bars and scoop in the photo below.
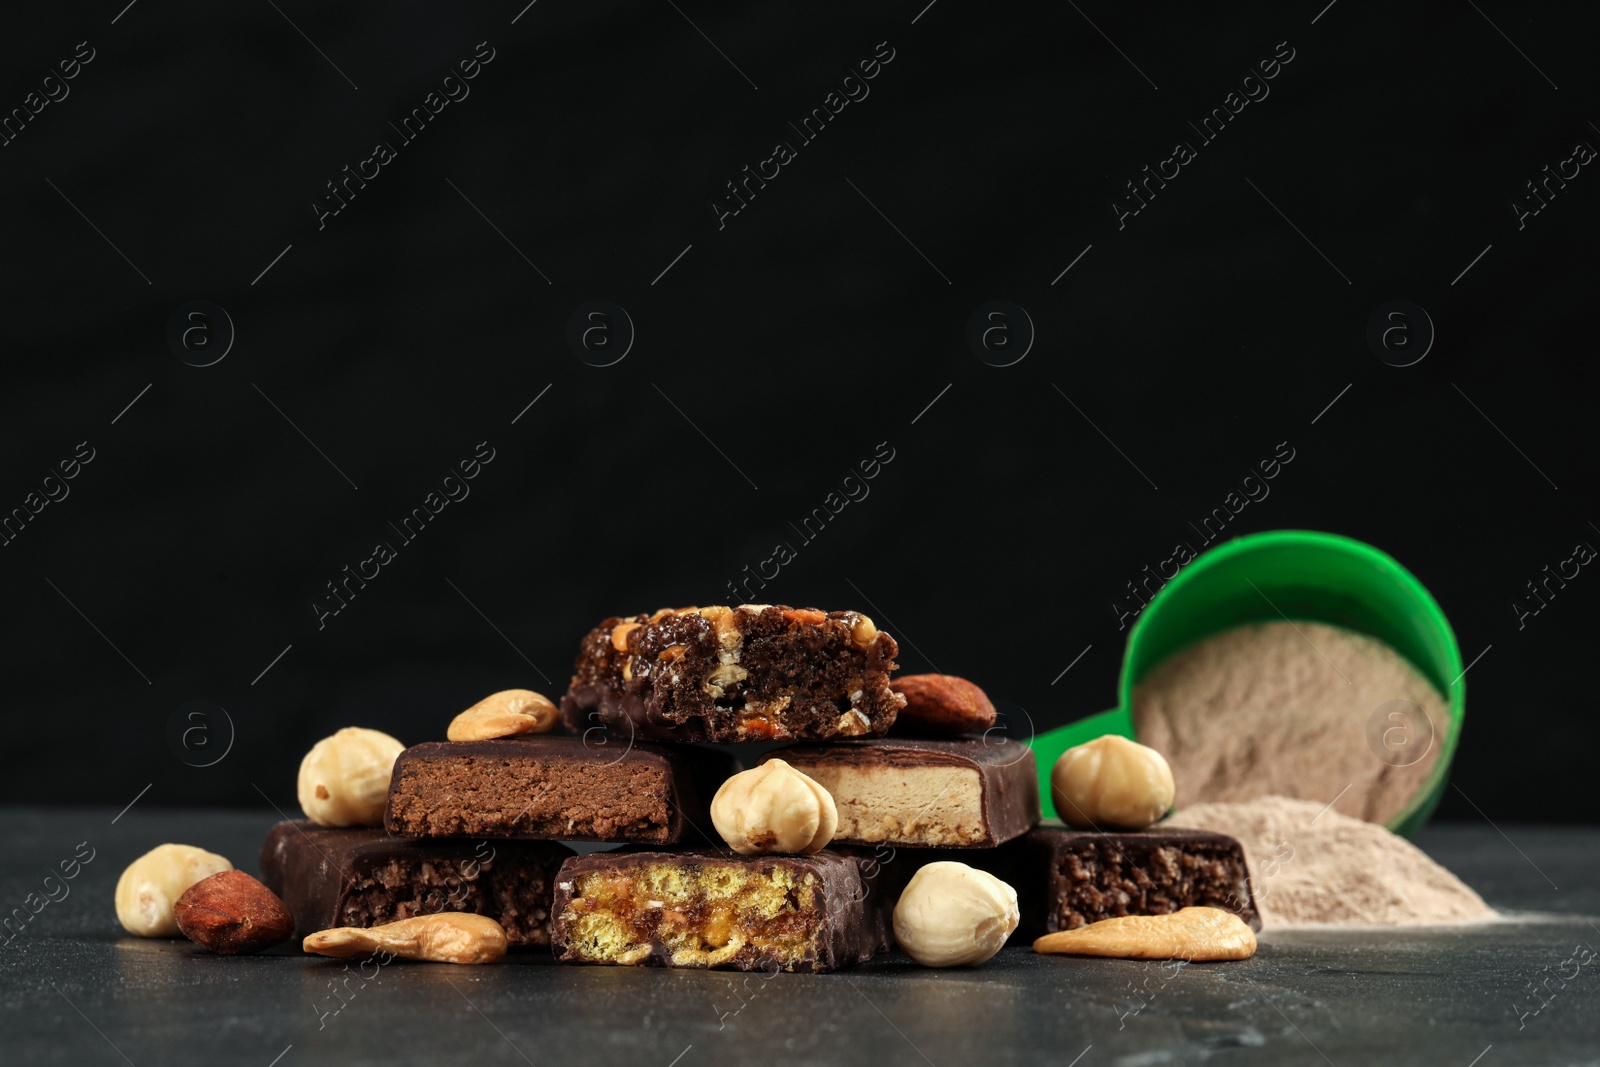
[822,321]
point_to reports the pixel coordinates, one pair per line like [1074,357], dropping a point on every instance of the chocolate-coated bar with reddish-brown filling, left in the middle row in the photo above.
[556,788]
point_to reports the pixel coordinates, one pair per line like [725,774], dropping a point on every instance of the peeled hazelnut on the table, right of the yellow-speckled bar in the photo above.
[953,916]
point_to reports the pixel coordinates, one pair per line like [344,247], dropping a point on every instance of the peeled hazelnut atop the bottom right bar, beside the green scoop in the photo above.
[1111,783]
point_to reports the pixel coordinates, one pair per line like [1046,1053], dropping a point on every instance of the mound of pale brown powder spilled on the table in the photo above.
[1311,866]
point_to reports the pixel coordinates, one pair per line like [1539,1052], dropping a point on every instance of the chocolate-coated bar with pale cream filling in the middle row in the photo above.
[926,794]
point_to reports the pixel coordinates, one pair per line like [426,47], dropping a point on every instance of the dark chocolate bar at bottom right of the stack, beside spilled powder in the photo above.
[1066,879]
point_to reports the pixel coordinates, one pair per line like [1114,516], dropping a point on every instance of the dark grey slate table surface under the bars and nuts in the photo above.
[74,989]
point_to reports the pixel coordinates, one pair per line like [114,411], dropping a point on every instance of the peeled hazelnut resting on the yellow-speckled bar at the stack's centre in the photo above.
[774,809]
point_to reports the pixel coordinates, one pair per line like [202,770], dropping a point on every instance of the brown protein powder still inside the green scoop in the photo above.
[1294,709]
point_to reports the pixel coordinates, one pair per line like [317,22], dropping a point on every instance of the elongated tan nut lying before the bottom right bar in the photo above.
[1190,933]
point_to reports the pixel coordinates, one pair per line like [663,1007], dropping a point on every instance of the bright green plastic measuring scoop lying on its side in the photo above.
[1297,575]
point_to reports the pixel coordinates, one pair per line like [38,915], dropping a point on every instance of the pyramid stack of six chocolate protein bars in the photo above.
[914,769]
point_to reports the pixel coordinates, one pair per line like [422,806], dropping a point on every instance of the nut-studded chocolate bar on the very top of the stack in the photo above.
[756,673]
